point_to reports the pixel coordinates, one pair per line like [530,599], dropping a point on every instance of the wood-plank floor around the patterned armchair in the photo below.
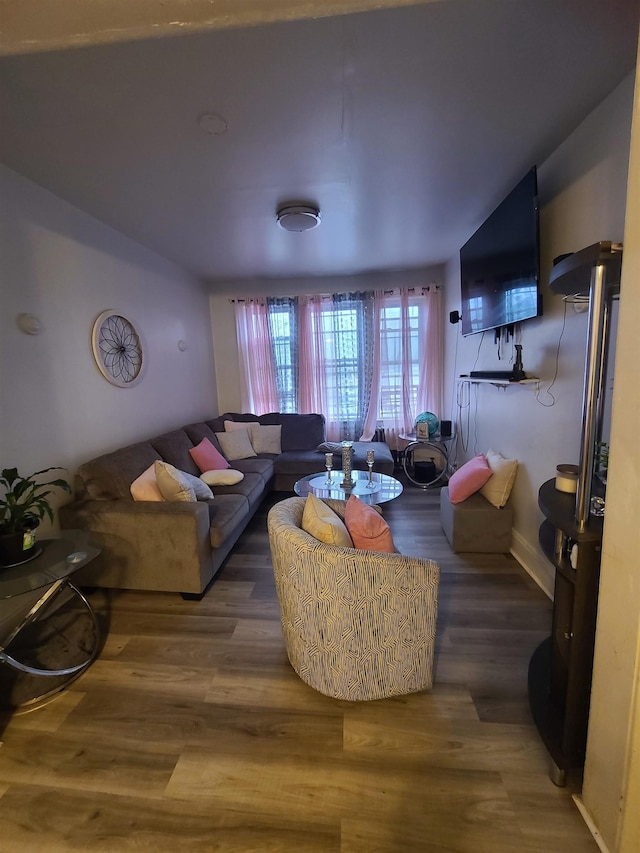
[191,732]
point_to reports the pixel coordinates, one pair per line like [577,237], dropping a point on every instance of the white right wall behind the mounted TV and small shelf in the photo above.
[582,189]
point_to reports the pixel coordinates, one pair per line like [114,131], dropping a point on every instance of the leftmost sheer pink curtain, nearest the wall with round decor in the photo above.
[258,389]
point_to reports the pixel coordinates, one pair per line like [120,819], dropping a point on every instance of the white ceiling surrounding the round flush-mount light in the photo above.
[406,126]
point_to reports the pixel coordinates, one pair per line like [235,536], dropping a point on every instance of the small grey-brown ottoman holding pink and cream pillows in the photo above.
[475,525]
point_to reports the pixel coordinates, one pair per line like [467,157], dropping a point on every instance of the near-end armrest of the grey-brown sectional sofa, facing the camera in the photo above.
[145,544]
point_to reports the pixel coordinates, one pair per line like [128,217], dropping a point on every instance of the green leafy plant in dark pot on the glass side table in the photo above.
[23,505]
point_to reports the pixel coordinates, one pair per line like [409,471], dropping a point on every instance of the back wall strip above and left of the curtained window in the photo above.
[223,318]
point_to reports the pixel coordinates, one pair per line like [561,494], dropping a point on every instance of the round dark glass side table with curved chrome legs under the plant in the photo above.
[28,593]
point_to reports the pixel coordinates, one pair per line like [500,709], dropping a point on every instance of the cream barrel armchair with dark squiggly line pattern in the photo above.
[357,624]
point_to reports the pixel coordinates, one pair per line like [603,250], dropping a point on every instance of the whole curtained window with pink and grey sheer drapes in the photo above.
[364,359]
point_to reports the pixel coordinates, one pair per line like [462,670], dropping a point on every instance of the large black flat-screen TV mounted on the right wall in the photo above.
[499,264]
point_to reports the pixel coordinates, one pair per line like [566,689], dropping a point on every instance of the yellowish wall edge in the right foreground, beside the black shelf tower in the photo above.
[612,771]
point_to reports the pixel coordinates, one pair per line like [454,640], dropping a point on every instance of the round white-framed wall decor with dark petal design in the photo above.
[117,349]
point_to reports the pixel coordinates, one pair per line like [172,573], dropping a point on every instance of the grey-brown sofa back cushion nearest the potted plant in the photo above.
[109,477]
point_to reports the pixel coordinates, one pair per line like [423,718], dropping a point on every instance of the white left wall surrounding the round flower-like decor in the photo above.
[66,268]
